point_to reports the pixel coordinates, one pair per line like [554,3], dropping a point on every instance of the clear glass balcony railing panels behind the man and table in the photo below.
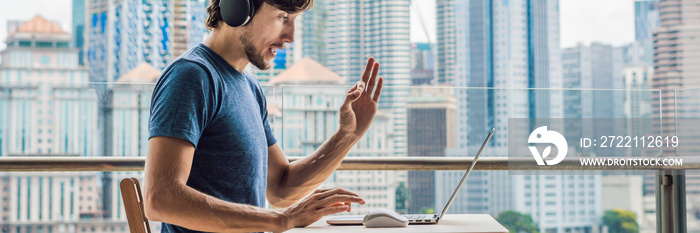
[65,146]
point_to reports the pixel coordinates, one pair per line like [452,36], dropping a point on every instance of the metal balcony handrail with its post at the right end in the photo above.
[670,180]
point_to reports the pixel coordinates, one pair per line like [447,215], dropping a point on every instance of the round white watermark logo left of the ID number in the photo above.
[542,135]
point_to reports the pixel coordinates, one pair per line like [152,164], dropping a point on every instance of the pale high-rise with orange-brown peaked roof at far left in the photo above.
[43,117]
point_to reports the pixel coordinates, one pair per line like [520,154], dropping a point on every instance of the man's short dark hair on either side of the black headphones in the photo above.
[291,6]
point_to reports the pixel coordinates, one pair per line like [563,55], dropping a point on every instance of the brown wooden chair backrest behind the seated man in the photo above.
[133,204]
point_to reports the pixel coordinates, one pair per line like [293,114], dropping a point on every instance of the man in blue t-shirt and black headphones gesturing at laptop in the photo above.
[212,159]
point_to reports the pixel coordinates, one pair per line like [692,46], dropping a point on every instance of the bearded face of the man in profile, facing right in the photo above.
[269,29]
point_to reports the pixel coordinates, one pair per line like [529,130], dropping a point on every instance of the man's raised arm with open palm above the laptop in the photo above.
[287,183]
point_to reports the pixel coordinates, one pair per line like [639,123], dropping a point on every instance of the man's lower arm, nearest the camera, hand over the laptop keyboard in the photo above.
[168,198]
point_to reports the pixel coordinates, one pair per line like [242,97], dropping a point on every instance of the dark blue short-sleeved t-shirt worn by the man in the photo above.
[202,99]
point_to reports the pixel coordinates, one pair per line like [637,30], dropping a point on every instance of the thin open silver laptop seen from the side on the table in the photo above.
[417,218]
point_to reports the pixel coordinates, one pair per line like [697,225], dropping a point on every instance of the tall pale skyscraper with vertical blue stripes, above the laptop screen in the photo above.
[505,44]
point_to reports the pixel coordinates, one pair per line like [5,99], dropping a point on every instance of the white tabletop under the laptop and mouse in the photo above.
[454,223]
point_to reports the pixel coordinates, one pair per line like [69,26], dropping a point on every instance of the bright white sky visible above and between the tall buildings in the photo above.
[581,21]
